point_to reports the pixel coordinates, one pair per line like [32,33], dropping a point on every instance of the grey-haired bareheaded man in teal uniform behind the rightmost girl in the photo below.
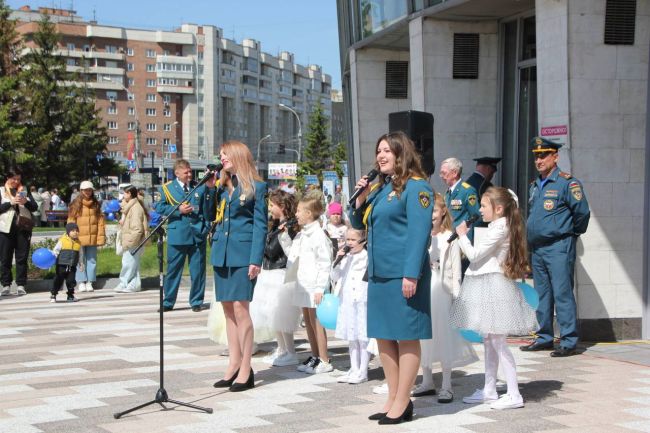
[461,197]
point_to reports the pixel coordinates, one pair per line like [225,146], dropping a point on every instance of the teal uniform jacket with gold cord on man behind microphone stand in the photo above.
[189,229]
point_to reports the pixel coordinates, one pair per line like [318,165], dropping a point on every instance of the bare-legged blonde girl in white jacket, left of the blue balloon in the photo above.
[309,265]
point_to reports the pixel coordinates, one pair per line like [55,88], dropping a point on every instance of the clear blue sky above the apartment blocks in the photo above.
[306,28]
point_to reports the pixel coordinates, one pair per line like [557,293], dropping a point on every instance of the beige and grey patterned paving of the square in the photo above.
[69,367]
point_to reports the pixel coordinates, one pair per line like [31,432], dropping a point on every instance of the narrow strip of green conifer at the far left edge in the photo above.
[11,100]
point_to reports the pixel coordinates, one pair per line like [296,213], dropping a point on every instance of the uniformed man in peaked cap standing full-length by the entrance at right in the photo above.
[558,214]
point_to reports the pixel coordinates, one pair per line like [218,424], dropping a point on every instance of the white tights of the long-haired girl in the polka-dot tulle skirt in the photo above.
[496,349]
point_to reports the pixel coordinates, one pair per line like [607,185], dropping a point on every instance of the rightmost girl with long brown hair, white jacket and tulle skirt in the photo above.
[490,302]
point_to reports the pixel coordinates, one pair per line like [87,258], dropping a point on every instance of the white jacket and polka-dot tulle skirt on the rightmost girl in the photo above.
[489,302]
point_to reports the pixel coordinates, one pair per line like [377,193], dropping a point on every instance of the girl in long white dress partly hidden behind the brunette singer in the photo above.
[447,346]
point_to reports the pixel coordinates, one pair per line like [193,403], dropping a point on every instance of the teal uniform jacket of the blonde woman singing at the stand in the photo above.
[240,235]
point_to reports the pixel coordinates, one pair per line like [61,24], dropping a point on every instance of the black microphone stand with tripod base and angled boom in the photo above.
[161,395]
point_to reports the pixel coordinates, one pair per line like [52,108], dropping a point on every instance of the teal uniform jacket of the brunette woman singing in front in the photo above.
[399,229]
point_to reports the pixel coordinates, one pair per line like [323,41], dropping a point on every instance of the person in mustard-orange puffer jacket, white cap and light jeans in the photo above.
[86,212]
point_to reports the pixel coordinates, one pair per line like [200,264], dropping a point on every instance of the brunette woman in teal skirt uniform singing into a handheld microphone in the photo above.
[397,211]
